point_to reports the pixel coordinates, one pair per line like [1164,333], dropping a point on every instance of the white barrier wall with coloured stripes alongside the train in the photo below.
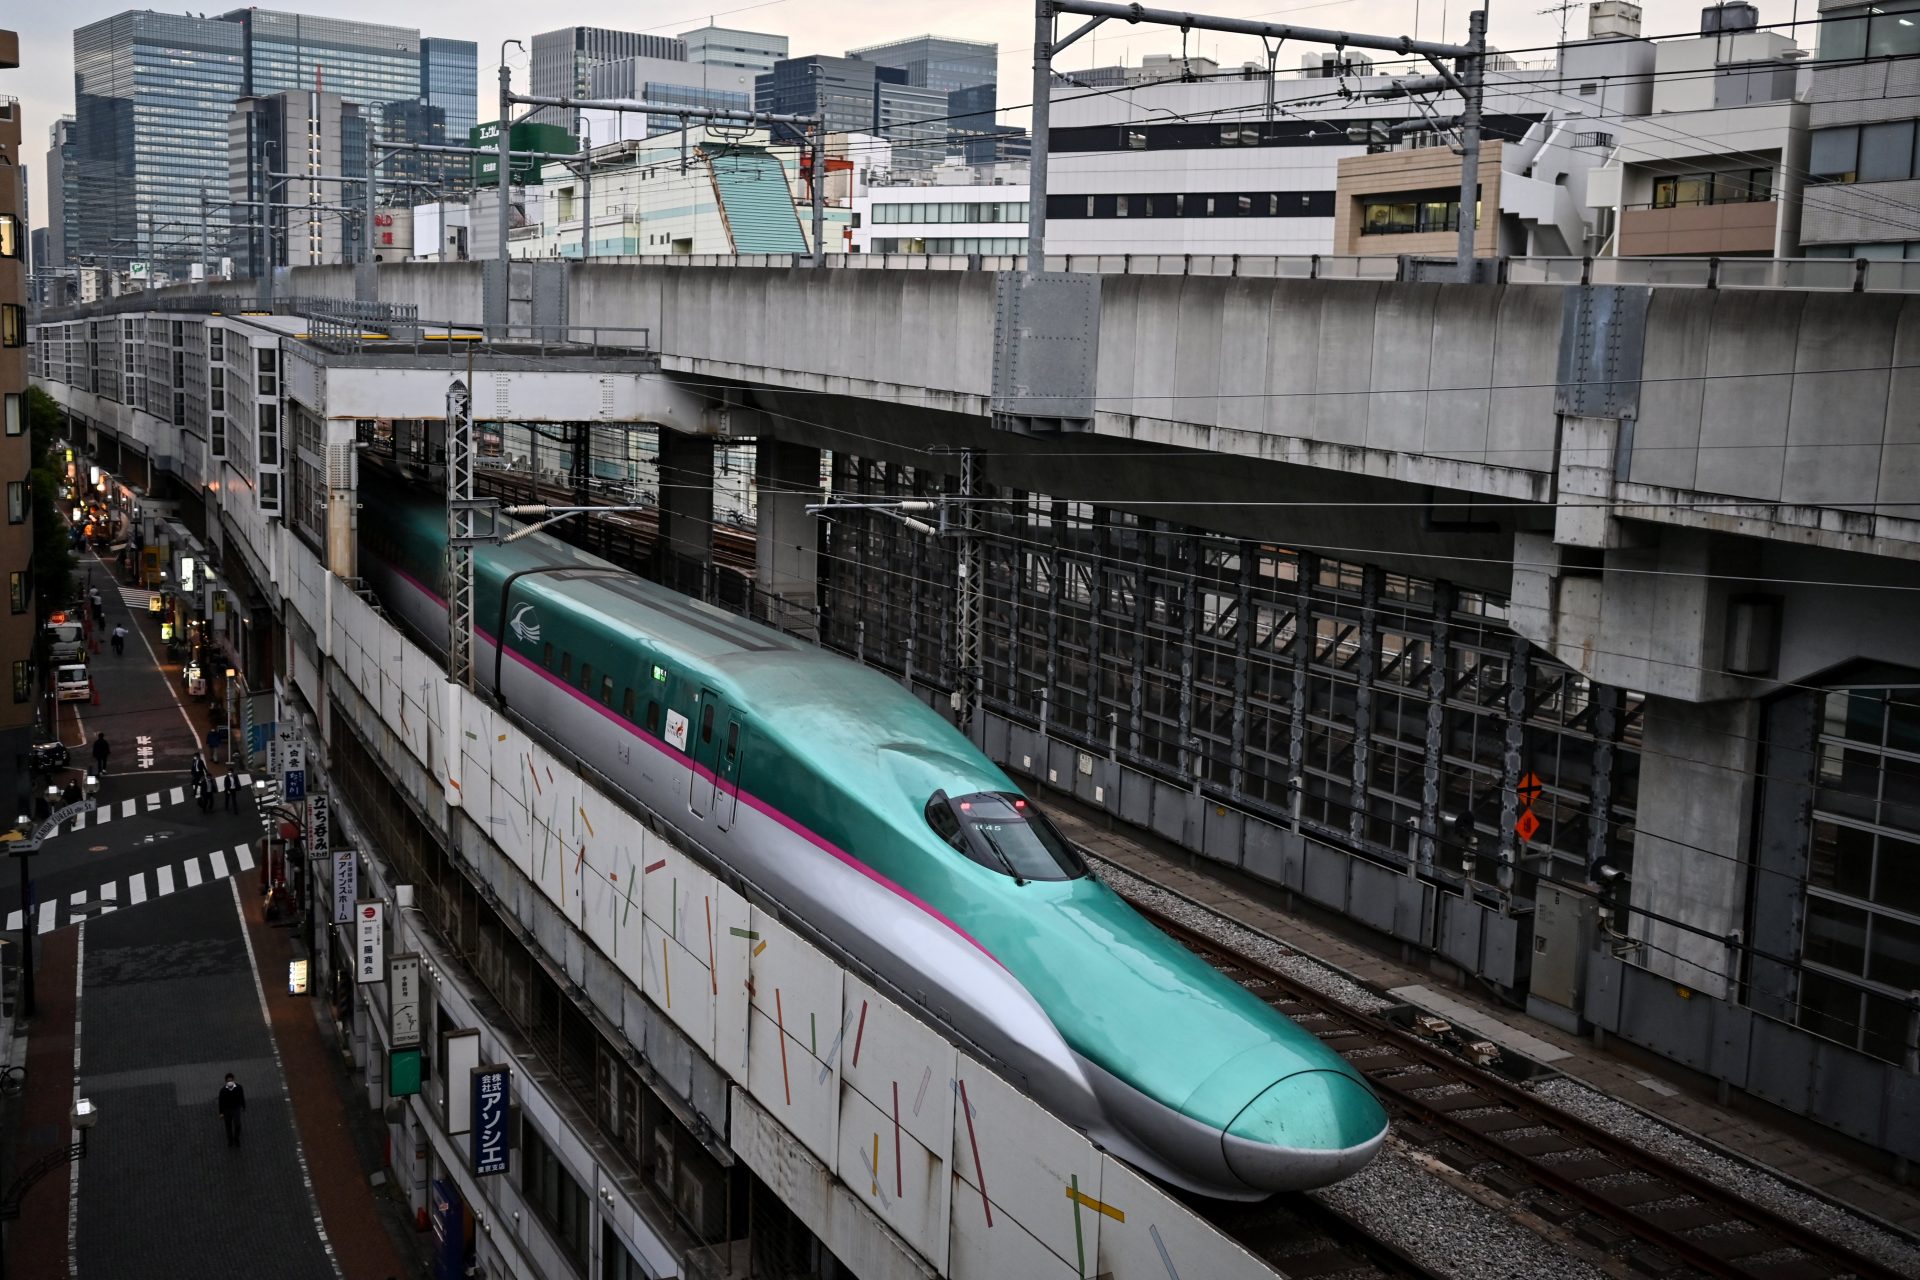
[886,1139]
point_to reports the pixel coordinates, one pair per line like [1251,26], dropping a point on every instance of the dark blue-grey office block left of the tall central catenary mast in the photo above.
[859,97]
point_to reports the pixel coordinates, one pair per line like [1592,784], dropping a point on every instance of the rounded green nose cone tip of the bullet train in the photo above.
[1305,1131]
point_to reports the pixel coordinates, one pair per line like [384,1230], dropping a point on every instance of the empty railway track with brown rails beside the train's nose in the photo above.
[1618,1198]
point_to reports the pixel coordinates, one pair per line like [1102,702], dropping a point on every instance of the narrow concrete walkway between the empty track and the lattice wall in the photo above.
[1633,1078]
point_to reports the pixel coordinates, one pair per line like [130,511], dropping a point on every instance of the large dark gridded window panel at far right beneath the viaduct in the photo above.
[1861,943]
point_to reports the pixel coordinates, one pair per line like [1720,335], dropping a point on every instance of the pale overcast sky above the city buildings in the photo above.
[45,78]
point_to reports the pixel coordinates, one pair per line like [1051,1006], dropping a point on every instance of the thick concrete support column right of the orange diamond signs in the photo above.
[1692,834]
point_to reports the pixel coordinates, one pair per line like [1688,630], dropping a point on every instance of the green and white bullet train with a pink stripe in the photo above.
[873,818]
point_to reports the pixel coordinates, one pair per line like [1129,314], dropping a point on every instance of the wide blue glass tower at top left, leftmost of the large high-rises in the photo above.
[153,95]
